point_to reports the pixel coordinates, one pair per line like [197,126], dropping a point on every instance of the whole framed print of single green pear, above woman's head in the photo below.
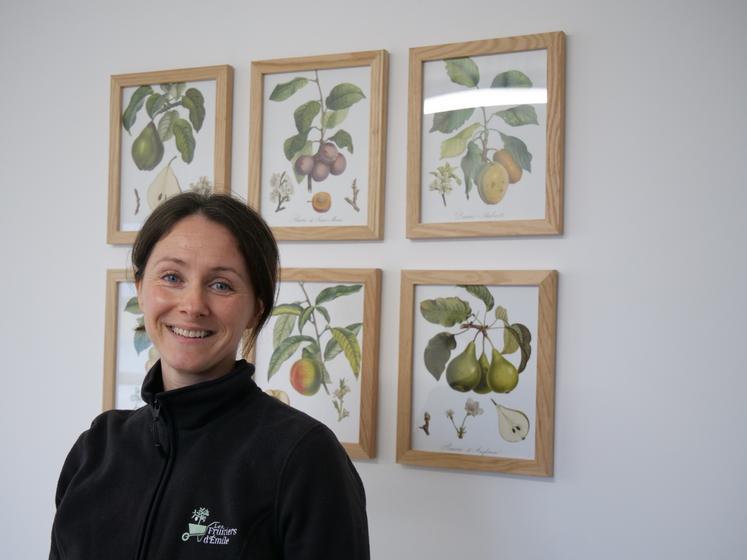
[188,146]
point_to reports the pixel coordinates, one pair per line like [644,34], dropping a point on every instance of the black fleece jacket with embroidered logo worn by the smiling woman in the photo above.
[214,470]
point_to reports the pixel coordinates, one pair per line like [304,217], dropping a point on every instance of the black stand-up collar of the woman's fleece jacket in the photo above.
[196,405]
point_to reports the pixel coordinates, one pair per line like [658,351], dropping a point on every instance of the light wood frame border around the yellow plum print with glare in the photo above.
[552,223]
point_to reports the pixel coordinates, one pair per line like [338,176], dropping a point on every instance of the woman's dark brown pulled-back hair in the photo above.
[253,237]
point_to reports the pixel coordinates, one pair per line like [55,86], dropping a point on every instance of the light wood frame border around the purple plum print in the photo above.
[379,63]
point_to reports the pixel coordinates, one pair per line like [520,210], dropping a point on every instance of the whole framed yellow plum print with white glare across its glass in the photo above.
[470,170]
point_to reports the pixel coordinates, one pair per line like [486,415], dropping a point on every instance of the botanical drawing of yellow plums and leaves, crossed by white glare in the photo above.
[480,150]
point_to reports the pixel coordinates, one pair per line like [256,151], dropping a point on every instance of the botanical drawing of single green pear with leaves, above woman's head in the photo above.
[159,115]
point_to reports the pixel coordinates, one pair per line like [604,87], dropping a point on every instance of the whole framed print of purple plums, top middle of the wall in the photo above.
[302,191]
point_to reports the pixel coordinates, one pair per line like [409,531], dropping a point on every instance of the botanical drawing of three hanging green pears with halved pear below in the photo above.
[496,353]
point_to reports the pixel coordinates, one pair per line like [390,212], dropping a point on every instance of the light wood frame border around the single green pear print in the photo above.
[223,77]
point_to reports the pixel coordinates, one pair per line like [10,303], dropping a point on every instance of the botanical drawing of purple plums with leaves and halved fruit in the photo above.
[320,146]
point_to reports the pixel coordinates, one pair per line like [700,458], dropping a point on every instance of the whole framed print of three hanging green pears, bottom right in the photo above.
[440,312]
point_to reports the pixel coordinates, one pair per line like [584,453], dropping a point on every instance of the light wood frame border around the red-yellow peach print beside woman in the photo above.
[365,447]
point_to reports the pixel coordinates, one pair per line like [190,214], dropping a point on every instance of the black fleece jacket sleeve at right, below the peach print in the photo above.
[321,503]
